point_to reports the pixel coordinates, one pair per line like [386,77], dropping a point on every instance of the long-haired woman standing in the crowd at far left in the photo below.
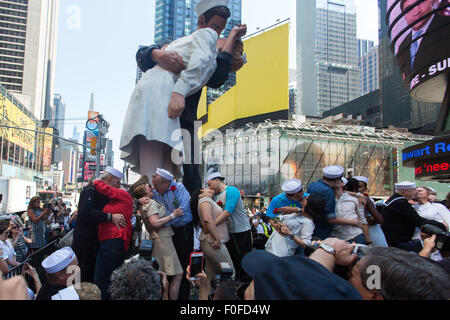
[38,223]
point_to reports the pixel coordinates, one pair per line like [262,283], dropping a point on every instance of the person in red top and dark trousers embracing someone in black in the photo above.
[114,241]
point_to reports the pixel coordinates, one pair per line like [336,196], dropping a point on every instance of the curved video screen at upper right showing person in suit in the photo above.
[419,32]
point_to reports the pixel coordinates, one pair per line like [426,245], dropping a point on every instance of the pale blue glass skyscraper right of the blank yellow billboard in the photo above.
[329,72]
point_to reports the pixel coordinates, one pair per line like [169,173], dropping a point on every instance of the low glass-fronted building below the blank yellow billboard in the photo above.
[261,159]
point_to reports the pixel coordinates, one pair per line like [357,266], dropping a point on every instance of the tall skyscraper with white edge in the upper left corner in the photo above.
[28,34]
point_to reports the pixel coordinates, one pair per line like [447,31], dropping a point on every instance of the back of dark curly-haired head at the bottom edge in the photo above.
[138,280]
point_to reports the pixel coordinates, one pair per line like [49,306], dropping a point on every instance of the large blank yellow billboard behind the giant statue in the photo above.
[262,85]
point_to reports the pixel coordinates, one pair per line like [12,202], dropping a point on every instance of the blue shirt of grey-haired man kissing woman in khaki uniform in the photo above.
[173,200]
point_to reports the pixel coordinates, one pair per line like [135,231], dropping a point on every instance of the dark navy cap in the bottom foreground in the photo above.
[294,278]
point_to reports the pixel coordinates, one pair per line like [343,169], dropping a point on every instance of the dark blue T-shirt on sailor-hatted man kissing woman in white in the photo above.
[323,229]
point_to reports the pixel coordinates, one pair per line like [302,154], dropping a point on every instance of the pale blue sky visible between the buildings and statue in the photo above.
[98,40]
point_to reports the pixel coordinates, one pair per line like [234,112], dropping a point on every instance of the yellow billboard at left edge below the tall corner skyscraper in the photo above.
[12,115]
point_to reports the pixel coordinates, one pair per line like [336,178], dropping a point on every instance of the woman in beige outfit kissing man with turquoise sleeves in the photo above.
[213,237]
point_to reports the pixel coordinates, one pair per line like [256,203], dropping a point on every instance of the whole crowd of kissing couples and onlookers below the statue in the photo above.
[320,240]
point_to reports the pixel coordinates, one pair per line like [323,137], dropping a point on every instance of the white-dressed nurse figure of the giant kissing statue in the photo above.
[151,135]
